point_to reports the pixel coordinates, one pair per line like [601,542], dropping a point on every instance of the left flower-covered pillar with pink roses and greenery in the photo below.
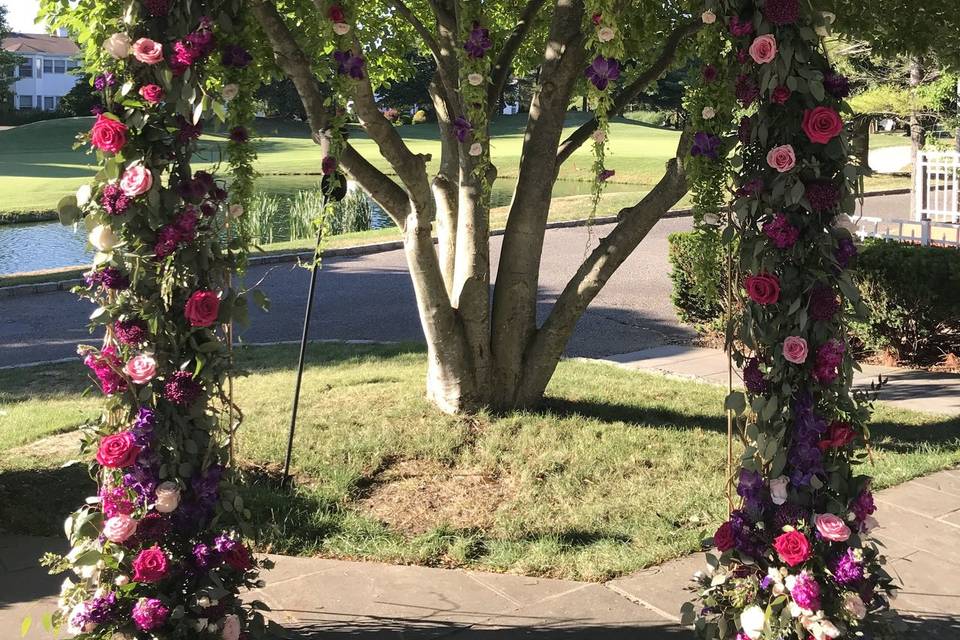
[158,552]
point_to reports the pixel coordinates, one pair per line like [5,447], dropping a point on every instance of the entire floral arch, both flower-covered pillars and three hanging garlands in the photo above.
[159,552]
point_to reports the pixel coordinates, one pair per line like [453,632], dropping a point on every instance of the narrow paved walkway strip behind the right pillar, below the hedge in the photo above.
[907,388]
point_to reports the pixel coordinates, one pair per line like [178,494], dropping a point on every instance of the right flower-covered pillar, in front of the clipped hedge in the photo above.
[795,558]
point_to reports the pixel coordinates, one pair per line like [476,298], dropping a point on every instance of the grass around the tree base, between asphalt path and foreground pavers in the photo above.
[618,471]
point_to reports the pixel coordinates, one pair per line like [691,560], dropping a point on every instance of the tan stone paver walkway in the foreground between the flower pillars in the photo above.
[316,598]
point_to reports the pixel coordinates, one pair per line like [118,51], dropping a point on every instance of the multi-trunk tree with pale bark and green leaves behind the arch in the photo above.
[486,347]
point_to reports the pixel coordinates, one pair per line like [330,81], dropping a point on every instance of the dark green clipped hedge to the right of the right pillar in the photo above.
[913,295]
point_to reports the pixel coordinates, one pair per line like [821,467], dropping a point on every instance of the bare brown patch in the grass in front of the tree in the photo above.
[415,496]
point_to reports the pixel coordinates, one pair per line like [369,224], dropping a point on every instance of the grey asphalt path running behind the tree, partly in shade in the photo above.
[371,298]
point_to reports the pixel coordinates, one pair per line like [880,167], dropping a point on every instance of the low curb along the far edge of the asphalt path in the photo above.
[363,250]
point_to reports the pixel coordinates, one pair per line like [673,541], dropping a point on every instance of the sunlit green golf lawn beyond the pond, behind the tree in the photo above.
[38,164]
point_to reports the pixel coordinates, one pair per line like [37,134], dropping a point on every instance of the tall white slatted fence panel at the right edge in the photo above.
[937,185]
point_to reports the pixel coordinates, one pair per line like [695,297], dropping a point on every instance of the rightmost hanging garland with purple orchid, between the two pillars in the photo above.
[604,42]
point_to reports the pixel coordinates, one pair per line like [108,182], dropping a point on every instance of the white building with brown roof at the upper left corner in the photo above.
[43,76]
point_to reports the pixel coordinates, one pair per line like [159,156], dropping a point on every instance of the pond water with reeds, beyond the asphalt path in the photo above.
[49,245]
